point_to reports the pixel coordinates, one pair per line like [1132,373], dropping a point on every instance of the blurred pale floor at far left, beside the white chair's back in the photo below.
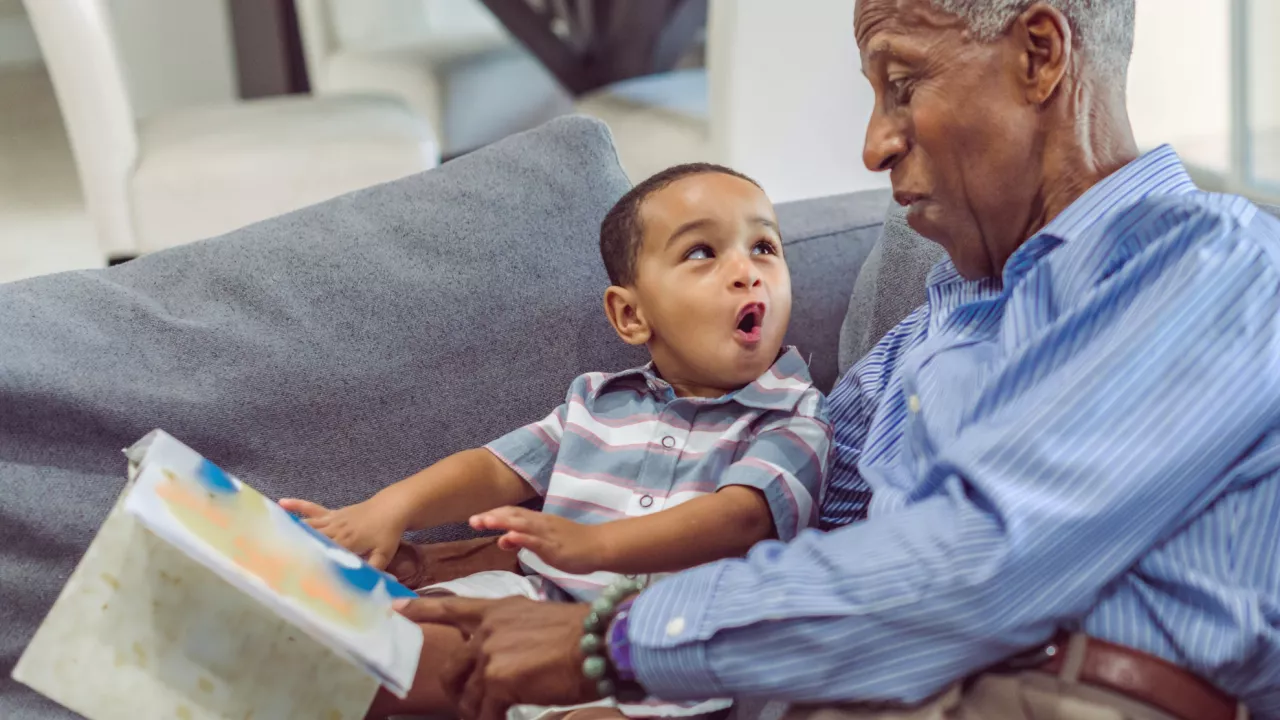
[44,227]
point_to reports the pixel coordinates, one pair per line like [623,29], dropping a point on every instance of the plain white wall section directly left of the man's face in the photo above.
[790,106]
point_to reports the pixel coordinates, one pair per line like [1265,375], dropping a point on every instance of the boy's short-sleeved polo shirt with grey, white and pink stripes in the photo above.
[624,446]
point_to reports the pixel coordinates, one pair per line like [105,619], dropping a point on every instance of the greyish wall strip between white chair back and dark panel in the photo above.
[176,53]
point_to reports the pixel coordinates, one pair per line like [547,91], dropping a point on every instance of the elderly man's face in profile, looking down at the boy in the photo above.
[953,129]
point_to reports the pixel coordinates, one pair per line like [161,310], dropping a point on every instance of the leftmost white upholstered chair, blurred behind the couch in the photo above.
[195,174]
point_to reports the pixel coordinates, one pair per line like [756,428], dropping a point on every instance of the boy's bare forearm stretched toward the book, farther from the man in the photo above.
[456,489]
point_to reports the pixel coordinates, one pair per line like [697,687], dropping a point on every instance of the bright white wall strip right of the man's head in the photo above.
[1181,79]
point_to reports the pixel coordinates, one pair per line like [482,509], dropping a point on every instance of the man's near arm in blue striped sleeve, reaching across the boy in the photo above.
[1128,416]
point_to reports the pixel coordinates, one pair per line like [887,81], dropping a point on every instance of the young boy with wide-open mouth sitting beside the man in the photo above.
[719,444]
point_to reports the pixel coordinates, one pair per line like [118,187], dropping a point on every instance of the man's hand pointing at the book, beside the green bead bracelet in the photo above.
[519,653]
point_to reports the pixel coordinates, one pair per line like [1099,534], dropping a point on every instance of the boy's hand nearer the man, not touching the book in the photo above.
[563,544]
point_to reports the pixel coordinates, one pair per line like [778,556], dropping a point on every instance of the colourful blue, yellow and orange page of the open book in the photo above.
[252,543]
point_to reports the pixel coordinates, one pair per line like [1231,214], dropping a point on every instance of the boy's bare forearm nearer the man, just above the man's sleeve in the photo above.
[714,527]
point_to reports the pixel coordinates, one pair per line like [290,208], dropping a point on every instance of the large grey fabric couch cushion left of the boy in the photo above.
[323,354]
